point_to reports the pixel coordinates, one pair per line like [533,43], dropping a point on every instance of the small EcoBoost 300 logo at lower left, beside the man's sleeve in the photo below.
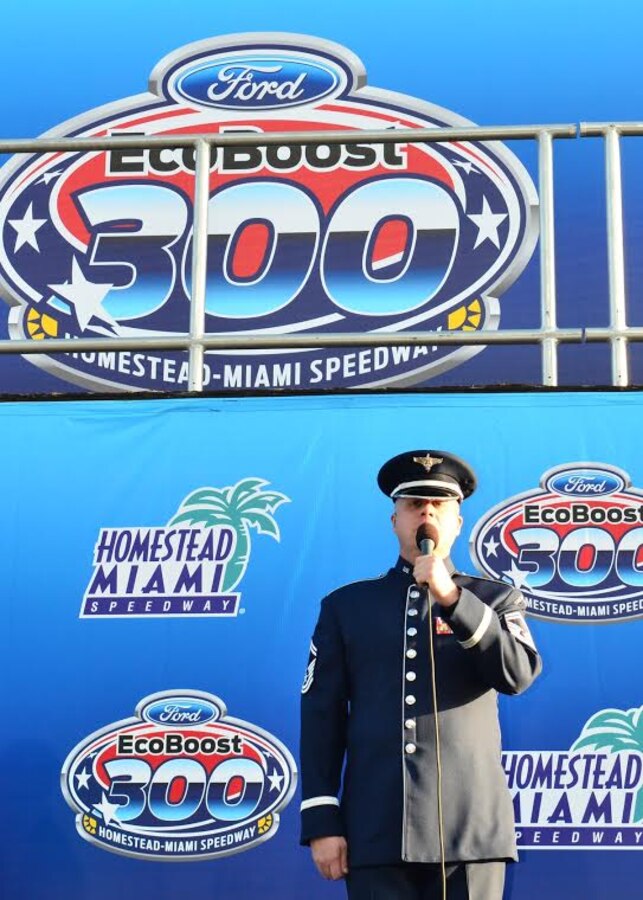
[181,780]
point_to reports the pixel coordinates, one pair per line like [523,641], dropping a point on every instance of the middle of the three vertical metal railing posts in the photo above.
[547,258]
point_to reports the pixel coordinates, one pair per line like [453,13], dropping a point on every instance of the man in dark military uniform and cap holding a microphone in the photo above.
[407,809]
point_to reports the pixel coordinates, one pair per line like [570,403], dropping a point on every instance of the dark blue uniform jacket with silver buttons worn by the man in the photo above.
[367,705]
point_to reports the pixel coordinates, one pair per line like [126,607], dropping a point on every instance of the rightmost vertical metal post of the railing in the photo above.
[616,255]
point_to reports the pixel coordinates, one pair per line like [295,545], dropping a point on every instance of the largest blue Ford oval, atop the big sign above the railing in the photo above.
[261,82]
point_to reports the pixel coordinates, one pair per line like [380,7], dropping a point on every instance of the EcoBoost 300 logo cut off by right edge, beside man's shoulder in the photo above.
[574,546]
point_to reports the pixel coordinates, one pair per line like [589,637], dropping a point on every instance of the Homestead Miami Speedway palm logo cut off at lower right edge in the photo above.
[588,797]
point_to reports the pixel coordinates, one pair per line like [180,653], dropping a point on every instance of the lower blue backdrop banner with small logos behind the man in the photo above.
[164,561]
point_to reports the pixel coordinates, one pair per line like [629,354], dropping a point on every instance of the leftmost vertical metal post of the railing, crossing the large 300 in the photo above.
[199,265]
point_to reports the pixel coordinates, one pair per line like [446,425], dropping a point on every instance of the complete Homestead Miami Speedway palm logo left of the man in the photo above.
[189,567]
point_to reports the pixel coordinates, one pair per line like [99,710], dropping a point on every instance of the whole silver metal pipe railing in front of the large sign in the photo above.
[548,335]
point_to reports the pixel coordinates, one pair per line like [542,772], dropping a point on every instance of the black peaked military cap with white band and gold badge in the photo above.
[432,474]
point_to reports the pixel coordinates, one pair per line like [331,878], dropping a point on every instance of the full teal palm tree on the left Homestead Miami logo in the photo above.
[243,506]
